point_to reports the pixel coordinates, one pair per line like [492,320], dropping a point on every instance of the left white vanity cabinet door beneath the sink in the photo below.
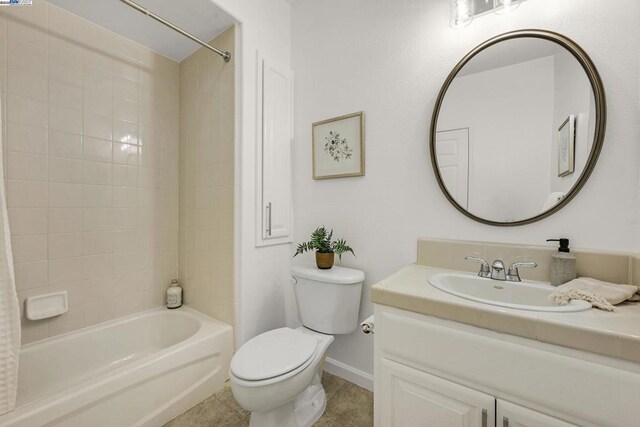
[409,397]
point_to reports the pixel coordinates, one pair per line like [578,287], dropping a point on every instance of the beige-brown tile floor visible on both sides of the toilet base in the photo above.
[347,406]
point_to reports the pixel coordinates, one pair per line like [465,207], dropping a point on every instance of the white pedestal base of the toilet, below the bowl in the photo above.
[303,411]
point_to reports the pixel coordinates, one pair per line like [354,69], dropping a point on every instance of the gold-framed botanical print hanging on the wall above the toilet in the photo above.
[338,147]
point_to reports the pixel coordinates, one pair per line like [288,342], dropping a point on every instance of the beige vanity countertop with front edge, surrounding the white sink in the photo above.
[614,334]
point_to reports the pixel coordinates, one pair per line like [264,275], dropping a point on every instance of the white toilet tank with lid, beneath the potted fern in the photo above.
[328,300]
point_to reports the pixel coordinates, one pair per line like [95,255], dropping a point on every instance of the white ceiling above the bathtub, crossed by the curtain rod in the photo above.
[201,18]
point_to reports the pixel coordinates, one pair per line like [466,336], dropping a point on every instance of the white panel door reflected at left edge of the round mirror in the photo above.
[452,148]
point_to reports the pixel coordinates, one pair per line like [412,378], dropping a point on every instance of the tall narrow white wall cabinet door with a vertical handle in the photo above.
[275,150]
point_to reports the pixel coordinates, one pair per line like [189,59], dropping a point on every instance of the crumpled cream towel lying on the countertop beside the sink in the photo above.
[600,294]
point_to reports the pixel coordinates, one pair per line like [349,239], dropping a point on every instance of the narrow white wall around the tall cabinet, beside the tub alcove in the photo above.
[260,272]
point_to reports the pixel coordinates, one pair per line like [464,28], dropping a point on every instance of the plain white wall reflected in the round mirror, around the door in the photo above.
[509,114]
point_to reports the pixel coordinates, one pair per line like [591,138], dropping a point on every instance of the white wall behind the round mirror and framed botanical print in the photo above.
[389,58]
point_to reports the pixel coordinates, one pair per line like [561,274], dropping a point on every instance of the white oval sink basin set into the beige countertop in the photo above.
[525,295]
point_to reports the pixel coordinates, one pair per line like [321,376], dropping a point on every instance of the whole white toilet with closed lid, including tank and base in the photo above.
[277,375]
